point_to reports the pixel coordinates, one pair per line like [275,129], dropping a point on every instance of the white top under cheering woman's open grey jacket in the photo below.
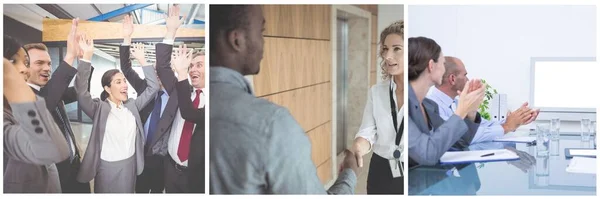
[119,134]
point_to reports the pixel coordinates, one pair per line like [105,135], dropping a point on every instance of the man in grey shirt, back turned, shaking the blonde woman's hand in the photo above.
[256,147]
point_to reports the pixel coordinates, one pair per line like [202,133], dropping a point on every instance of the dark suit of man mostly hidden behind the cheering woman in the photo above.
[152,178]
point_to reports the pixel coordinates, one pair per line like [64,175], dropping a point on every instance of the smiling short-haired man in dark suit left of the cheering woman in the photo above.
[56,93]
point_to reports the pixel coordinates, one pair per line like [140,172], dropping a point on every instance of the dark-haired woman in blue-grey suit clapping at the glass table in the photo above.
[429,136]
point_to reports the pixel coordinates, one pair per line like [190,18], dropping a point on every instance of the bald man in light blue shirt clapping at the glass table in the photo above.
[454,80]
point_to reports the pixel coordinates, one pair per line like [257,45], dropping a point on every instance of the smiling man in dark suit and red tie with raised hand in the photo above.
[190,65]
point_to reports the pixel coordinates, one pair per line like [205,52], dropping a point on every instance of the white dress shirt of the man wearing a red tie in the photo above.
[178,123]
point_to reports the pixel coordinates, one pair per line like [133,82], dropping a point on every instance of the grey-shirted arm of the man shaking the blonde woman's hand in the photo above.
[290,169]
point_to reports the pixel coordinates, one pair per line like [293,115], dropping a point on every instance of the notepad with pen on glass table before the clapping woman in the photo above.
[461,157]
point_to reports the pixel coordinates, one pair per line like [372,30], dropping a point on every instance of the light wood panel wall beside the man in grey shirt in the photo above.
[296,73]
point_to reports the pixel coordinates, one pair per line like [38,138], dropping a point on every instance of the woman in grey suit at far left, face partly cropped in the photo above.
[33,143]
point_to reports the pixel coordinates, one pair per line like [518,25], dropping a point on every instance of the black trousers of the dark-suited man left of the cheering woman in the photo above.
[67,172]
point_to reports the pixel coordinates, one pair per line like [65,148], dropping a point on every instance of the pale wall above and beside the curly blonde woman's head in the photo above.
[387,15]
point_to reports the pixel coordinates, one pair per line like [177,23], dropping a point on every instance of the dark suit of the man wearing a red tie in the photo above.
[196,159]
